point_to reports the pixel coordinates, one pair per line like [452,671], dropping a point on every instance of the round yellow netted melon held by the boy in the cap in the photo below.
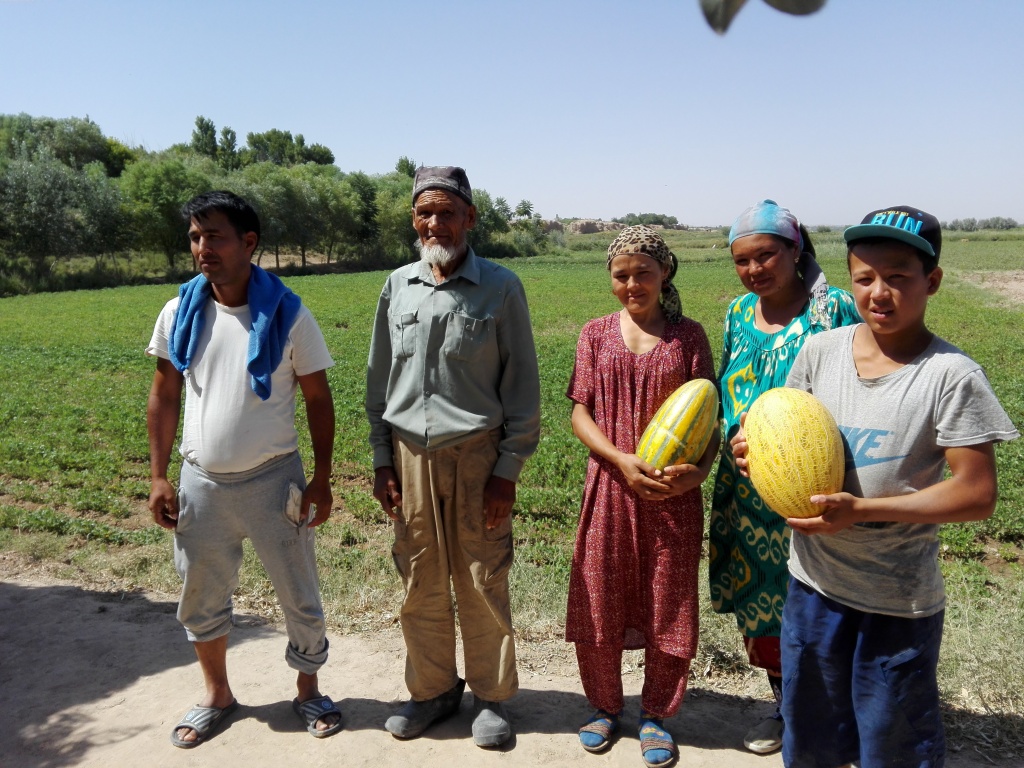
[795,451]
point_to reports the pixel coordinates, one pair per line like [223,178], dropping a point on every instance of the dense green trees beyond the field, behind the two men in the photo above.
[67,191]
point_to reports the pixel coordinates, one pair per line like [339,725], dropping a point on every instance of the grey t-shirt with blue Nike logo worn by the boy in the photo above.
[895,430]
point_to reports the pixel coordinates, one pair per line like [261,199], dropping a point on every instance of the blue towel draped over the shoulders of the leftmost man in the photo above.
[274,309]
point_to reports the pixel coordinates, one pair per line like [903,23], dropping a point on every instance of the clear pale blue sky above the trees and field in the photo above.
[587,109]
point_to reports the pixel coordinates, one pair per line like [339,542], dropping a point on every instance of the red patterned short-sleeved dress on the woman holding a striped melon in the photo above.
[634,579]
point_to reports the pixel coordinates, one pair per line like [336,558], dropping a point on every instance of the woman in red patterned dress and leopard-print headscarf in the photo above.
[634,579]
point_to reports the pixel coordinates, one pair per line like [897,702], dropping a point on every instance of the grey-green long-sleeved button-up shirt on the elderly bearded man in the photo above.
[449,361]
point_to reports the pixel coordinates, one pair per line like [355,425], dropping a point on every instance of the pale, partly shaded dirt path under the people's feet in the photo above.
[100,678]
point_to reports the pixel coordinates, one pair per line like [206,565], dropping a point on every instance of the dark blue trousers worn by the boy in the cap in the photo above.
[859,687]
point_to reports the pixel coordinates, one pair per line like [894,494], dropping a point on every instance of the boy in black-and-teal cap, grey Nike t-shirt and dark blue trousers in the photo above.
[863,623]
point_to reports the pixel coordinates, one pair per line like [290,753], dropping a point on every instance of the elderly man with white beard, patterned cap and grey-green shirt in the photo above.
[453,398]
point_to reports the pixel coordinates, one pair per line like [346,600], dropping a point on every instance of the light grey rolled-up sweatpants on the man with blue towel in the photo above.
[217,511]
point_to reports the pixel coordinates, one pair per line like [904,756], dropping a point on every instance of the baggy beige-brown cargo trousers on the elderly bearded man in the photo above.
[442,542]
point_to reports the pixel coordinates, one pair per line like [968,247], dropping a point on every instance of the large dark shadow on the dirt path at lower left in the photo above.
[66,647]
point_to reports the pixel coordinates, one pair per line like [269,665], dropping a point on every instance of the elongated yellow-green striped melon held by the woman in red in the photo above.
[681,430]
